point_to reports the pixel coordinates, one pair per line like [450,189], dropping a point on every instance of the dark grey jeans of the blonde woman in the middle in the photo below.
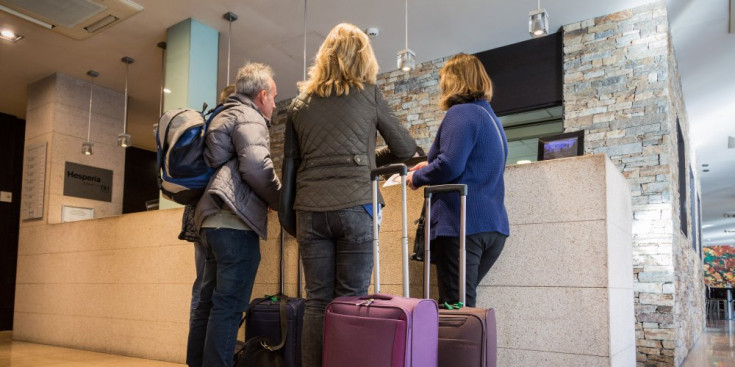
[337,254]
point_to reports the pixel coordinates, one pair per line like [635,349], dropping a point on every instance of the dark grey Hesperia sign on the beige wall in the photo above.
[87,182]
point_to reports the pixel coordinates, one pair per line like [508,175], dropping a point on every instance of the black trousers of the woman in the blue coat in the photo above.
[483,249]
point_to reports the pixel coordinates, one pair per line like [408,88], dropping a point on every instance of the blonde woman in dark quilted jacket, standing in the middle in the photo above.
[329,152]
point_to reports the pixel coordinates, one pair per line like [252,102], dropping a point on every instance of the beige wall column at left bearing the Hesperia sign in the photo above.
[58,114]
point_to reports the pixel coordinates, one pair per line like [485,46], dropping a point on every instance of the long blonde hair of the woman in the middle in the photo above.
[344,60]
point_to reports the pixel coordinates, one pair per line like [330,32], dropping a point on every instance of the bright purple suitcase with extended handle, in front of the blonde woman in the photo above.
[382,330]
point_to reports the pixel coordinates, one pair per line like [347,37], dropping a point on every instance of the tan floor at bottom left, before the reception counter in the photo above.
[20,354]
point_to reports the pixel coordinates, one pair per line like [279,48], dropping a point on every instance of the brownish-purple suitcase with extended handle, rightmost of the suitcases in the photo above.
[467,336]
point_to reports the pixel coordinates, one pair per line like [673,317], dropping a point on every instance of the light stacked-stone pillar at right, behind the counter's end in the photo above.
[621,86]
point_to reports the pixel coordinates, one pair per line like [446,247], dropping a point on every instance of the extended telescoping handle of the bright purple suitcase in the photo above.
[374,177]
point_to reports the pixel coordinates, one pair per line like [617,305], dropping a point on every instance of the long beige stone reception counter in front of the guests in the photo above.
[562,288]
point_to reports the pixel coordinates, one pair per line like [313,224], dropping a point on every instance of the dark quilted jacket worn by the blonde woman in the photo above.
[334,147]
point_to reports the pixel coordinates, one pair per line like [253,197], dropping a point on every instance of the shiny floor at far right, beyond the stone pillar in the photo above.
[715,347]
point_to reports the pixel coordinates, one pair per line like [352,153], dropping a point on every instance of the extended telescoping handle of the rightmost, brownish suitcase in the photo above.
[428,191]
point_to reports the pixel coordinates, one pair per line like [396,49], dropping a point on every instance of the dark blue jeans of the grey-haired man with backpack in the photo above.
[227,283]
